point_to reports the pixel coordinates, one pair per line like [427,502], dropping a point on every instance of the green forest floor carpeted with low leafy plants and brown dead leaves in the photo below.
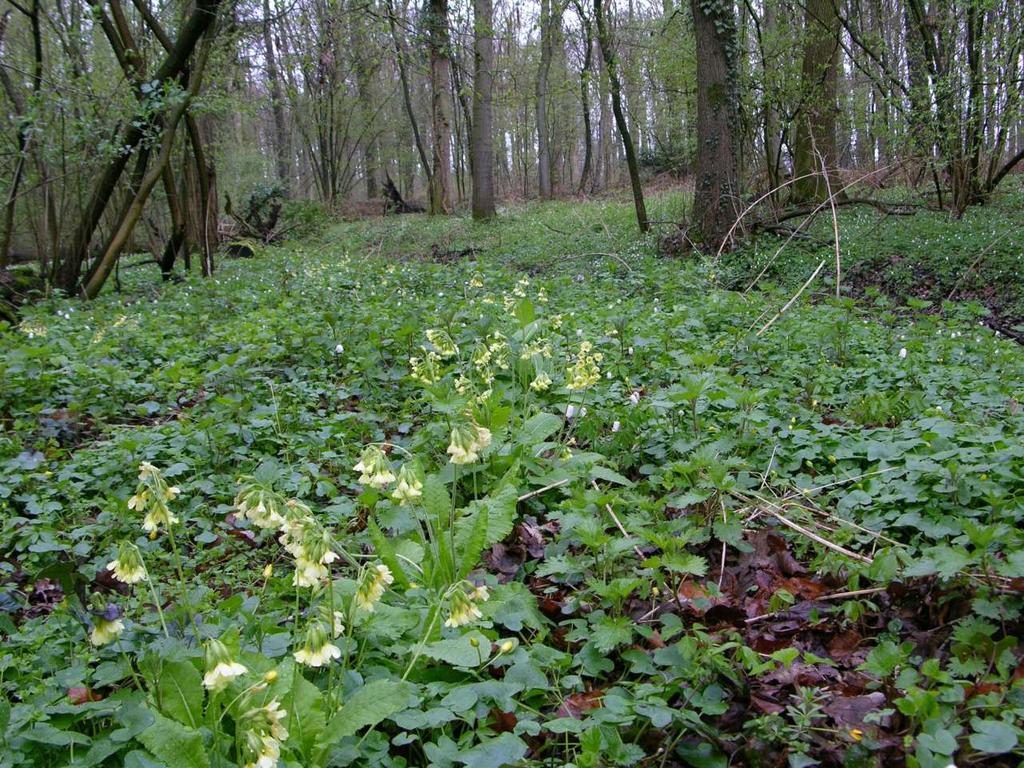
[711,534]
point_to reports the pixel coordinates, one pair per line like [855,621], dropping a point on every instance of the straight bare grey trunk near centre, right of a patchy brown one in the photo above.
[483,134]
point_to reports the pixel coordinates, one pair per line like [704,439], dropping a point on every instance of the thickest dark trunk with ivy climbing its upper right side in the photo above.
[716,196]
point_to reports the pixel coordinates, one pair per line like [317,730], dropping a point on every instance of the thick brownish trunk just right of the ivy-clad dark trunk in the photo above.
[815,146]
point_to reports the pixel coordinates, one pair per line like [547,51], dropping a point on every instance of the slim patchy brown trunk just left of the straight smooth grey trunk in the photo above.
[441,107]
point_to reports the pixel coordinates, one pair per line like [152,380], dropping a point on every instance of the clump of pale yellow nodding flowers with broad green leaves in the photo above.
[359,626]
